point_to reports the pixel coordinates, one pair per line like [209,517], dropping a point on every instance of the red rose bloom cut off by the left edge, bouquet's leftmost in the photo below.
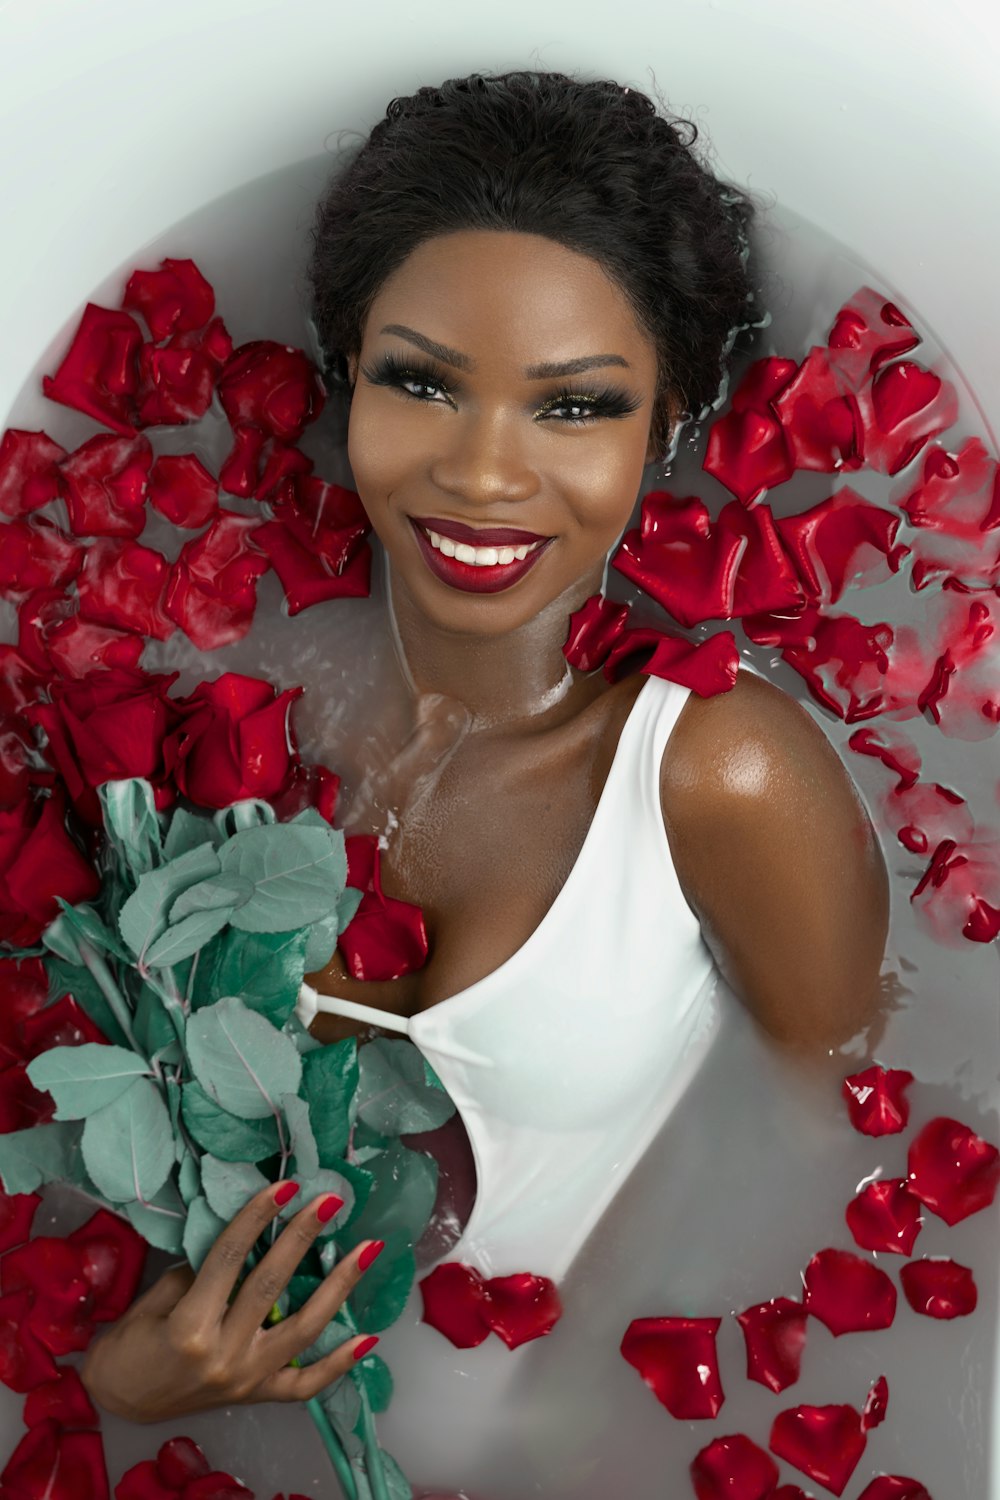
[38,863]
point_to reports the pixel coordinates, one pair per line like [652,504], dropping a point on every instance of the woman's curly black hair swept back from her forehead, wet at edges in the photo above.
[588,164]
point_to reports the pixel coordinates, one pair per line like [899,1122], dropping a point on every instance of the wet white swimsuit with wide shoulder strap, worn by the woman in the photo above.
[567,1060]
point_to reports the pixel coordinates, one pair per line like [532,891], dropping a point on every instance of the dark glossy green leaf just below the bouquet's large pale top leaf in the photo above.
[265,970]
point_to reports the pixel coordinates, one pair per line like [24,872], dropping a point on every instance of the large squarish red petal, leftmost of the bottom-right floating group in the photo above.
[677,1360]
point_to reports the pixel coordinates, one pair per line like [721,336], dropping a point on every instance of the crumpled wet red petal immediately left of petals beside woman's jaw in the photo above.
[212,592]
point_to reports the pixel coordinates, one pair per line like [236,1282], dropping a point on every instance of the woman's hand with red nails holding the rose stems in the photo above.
[185,1348]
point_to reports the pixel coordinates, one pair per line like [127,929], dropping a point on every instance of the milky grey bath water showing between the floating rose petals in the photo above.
[752,1175]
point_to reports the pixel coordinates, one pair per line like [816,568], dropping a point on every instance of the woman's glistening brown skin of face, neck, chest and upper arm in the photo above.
[771,842]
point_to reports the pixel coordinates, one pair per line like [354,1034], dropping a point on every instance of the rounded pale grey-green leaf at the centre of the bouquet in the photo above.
[241,1060]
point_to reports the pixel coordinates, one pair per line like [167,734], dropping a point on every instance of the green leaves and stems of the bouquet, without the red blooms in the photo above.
[206,1087]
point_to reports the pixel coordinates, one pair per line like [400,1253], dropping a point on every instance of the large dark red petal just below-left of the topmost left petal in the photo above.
[100,374]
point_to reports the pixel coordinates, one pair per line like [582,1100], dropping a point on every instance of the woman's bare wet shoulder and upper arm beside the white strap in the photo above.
[779,860]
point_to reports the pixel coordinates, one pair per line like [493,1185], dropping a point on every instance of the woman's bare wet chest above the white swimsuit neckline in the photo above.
[485,851]
